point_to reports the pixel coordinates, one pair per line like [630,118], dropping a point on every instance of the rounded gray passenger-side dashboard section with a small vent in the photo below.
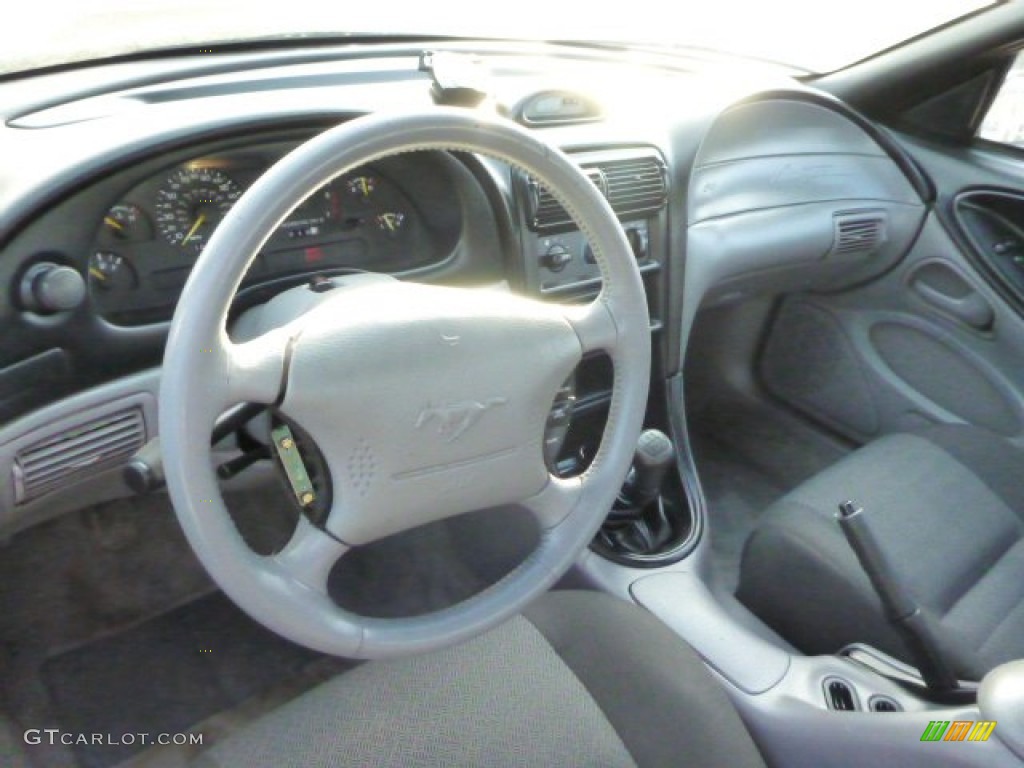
[790,194]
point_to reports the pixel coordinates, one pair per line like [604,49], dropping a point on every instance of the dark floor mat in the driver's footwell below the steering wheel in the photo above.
[166,675]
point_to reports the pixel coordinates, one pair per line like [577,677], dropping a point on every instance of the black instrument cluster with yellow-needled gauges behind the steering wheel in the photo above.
[149,240]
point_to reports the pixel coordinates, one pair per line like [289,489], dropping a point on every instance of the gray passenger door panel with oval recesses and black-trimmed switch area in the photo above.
[937,339]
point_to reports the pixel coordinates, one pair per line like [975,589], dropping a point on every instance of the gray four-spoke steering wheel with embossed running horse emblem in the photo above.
[368,375]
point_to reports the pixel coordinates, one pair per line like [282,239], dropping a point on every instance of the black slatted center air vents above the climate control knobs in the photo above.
[634,186]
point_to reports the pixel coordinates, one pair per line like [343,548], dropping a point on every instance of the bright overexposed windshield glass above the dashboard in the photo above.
[813,36]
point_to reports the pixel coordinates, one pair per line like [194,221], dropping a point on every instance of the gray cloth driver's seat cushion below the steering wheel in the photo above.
[581,679]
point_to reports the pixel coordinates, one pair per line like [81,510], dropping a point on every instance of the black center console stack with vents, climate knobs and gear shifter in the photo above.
[560,266]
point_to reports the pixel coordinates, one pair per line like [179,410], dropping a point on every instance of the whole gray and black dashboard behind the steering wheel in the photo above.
[113,183]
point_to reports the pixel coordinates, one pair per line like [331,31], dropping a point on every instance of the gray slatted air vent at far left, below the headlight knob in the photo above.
[67,457]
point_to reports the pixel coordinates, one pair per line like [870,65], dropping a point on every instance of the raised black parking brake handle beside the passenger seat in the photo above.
[901,608]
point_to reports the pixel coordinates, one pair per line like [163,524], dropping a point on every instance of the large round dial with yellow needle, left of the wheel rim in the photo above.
[191,203]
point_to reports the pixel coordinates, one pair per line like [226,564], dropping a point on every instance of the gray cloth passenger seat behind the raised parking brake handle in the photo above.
[948,507]
